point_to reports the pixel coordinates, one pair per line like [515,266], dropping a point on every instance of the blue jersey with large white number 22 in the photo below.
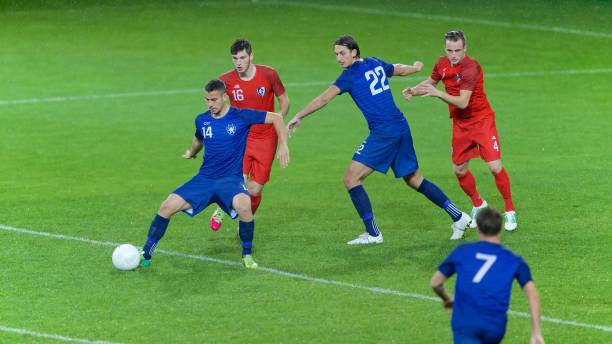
[367,81]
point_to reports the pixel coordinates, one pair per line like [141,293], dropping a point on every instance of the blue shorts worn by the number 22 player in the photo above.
[380,151]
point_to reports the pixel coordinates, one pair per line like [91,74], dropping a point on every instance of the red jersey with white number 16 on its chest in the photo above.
[256,94]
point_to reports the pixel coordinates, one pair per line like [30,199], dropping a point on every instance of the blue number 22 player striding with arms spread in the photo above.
[389,143]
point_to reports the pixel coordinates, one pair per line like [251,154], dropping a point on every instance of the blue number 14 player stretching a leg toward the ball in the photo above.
[223,131]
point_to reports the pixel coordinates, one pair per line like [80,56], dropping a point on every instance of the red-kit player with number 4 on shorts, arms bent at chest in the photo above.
[474,130]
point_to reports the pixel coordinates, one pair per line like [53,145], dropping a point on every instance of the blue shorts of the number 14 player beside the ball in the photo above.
[200,192]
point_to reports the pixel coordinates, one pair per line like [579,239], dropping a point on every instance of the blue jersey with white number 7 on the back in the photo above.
[485,272]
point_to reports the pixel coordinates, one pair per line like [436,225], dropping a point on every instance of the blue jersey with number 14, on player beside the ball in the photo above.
[224,140]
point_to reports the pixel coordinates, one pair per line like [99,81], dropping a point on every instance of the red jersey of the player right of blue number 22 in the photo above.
[467,75]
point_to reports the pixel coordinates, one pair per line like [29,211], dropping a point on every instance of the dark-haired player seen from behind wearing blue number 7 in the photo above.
[485,272]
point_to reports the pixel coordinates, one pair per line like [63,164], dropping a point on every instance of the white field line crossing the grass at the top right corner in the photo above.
[436,17]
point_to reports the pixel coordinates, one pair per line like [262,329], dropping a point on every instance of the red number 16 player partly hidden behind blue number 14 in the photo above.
[251,86]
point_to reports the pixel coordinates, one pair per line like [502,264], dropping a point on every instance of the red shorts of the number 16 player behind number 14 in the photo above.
[258,159]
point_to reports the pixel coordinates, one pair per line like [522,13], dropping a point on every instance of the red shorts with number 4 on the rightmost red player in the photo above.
[474,138]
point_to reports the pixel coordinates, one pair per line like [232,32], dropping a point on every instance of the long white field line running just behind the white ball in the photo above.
[298,276]
